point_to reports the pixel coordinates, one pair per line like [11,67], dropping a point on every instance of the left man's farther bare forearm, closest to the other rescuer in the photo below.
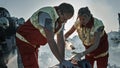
[61,43]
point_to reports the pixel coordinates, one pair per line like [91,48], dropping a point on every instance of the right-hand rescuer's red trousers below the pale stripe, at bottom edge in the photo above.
[101,62]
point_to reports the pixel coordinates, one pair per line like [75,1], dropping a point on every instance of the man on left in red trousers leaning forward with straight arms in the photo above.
[40,29]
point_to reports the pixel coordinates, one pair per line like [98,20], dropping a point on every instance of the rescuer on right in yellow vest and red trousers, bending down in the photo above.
[93,36]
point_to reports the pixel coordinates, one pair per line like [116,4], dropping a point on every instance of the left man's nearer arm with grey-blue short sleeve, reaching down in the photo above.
[46,22]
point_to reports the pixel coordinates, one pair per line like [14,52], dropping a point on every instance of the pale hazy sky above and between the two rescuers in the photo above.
[106,10]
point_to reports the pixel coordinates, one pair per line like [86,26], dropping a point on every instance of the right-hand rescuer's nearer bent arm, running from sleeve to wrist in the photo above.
[97,40]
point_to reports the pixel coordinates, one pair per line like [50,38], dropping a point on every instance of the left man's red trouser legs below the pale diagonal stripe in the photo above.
[28,54]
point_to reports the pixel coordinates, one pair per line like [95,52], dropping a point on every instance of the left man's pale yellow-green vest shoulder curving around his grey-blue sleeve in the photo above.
[34,18]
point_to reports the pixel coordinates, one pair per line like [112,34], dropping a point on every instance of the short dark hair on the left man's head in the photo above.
[66,8]
